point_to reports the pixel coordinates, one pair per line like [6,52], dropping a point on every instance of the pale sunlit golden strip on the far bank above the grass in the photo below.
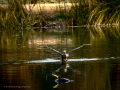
[47,7]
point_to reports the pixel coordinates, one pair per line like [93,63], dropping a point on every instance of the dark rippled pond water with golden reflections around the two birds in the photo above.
[26,63]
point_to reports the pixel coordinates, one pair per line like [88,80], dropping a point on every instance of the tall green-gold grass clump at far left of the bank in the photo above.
[14,16]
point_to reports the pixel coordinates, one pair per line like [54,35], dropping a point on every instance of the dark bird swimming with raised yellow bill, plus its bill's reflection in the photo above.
[60,80]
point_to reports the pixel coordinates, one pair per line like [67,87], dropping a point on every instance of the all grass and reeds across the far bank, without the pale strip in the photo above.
[15,15]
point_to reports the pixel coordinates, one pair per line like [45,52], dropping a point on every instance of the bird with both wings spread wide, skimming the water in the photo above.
[65,55]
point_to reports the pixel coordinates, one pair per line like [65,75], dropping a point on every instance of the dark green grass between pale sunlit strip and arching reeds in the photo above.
[77,15]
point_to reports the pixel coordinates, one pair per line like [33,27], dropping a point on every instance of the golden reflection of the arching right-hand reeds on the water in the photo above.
[104,32]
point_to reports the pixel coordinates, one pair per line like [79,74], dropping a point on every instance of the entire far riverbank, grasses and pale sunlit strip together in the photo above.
[56,15]
